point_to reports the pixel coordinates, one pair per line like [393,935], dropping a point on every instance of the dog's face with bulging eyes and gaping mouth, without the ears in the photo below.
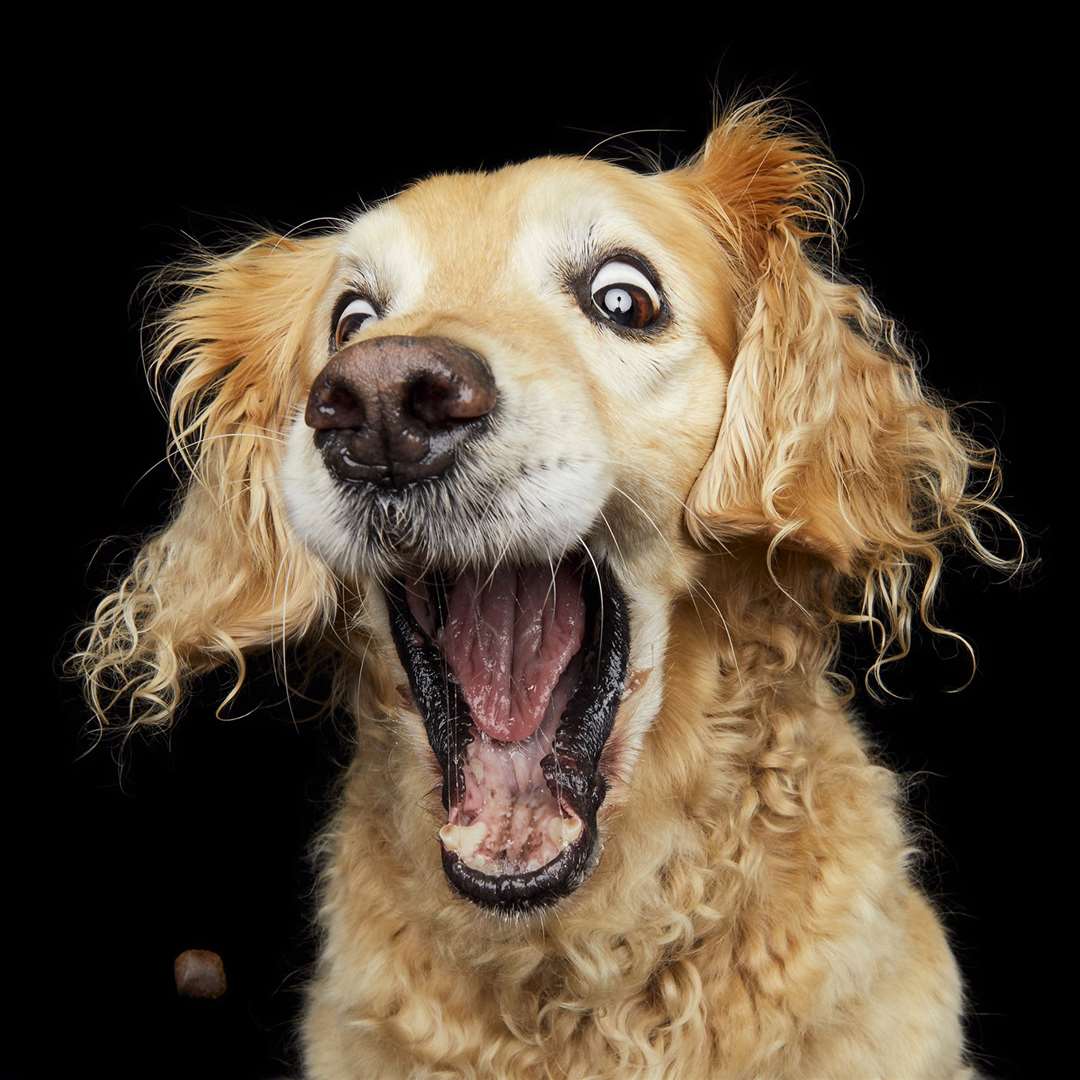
[516,381]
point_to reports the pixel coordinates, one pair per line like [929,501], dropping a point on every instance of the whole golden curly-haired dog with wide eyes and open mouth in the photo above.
[576,472]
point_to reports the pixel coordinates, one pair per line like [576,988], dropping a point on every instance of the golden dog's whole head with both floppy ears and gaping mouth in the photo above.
[484,440]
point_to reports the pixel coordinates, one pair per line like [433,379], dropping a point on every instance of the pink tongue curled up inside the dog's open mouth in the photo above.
[509,642]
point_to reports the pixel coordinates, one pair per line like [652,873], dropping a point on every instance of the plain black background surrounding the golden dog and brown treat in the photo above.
[119,860]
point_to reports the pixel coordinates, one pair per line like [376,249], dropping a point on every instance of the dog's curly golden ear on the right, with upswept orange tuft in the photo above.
[830,443]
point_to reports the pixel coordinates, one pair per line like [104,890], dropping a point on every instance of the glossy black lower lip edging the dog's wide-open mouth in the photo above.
[585,728]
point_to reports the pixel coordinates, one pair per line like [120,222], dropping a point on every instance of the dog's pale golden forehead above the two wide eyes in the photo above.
[483,229]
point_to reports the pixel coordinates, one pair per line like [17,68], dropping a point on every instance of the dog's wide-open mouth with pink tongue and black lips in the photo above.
[518,674]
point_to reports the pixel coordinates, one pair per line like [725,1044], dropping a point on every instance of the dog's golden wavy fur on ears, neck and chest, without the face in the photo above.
[754,913]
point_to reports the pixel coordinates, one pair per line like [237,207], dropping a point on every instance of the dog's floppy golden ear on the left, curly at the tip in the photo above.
[224,576]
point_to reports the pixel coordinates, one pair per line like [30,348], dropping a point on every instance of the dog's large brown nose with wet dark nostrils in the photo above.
[393,411]
